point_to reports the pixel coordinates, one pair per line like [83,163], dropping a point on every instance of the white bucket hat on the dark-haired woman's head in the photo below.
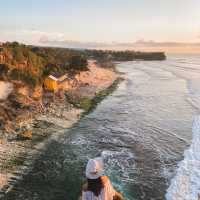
[94,168]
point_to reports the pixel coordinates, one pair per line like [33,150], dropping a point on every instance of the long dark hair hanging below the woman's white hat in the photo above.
[95,186]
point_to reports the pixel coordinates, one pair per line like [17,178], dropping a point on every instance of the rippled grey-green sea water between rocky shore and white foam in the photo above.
[141,132]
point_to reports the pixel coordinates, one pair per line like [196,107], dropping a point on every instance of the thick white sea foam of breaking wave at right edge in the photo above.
[186,184]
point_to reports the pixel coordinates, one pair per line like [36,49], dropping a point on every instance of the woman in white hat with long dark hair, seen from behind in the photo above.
[98,187]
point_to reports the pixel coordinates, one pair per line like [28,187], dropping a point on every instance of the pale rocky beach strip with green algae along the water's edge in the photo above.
[17,156]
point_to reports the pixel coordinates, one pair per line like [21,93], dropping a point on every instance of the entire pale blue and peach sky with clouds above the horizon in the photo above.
[145,24]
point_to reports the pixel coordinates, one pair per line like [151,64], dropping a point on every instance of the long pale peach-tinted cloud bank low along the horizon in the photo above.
[37,37]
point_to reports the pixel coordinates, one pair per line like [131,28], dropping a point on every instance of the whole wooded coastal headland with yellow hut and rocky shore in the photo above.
[43,92]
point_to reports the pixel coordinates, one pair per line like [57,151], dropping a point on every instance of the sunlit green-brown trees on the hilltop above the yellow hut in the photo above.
[31,65]
